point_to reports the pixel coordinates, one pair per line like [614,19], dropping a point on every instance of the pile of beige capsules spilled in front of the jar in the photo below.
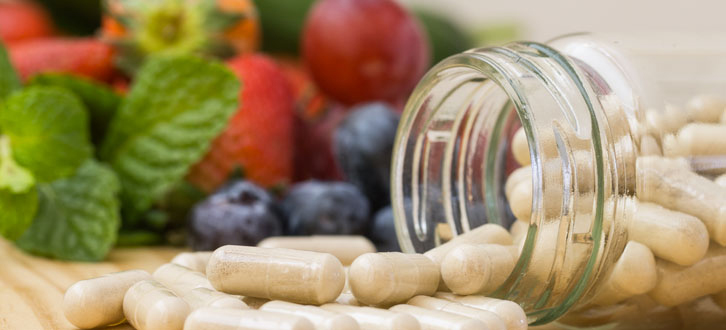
[282,284]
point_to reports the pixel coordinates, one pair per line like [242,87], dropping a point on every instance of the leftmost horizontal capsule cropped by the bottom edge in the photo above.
[243,319]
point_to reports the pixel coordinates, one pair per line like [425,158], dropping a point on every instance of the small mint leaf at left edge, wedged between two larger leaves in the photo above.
[16,212]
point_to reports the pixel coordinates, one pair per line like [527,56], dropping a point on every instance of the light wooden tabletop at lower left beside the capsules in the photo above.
[32,288]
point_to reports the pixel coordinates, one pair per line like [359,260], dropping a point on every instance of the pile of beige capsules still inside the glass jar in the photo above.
[675,220]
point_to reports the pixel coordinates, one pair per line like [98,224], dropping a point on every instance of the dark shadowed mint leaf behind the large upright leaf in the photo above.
[100,100]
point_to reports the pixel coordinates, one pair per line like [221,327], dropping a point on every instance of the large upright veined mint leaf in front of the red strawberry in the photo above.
[175,108]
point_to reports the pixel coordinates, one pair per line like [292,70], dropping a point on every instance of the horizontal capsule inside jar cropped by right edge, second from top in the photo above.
[696,139]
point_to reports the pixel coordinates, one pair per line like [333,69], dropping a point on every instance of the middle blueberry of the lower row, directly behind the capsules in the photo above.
[325,208]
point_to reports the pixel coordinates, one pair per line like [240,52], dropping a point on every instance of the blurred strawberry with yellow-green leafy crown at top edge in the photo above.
[219,28]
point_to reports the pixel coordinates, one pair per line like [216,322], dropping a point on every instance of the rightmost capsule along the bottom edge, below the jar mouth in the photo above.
[512,314]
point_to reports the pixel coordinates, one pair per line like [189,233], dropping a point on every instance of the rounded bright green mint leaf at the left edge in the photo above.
[48,131]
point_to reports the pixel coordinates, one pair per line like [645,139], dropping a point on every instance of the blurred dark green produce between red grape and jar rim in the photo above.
[445,37]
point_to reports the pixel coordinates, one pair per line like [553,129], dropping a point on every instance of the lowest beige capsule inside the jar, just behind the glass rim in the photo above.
[634,273]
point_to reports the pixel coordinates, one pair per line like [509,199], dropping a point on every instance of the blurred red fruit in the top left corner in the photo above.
[23,20]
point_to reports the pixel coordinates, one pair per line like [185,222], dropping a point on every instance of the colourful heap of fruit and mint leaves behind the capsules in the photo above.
[205,123]
